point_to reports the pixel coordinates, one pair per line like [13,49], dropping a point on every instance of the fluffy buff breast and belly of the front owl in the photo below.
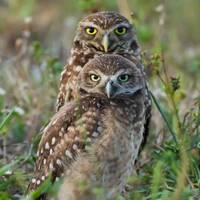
[109,160]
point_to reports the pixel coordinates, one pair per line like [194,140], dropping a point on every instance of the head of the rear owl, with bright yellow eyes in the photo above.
[107,32]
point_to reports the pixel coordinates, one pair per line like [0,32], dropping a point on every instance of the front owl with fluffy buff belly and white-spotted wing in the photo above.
[95,139]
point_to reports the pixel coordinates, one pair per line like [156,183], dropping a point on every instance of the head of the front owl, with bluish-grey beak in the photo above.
[111,77]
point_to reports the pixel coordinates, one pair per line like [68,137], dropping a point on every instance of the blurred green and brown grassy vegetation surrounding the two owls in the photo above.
[35,39]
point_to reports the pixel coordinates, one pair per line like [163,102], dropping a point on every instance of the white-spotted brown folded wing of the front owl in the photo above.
[63,139]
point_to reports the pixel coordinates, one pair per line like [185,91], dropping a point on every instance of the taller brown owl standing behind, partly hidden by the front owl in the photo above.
[99,33]
